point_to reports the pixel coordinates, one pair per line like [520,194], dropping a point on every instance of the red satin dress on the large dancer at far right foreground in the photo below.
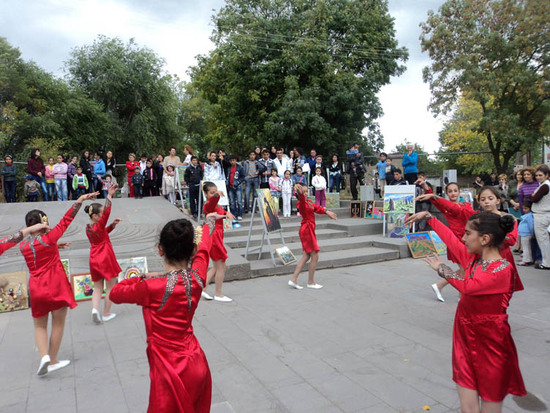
[484,354]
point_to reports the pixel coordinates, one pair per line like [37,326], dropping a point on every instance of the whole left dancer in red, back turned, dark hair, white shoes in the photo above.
[49,289]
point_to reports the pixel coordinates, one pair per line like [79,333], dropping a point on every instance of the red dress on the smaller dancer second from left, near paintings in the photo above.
[103,263]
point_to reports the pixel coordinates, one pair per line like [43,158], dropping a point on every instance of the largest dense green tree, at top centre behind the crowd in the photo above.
[297,72]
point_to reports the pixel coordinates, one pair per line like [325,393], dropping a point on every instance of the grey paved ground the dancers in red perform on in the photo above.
[373,340]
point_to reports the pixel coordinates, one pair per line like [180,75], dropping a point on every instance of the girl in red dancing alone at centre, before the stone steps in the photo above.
[307,236]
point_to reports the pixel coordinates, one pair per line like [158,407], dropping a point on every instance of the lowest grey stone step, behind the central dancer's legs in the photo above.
[332,259]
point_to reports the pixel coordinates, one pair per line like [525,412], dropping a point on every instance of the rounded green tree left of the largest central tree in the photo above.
[134,90]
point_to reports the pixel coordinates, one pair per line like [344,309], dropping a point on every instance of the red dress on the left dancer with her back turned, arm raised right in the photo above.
[48,284]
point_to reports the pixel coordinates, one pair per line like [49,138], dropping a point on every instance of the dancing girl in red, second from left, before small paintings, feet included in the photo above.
[103,264]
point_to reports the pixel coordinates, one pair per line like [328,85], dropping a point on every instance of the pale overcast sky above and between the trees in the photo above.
[46,31]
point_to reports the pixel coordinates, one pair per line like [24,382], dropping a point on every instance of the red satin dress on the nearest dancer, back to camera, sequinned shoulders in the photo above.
[179,372]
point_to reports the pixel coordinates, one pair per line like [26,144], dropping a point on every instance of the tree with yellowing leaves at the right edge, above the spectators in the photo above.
[497,53]
